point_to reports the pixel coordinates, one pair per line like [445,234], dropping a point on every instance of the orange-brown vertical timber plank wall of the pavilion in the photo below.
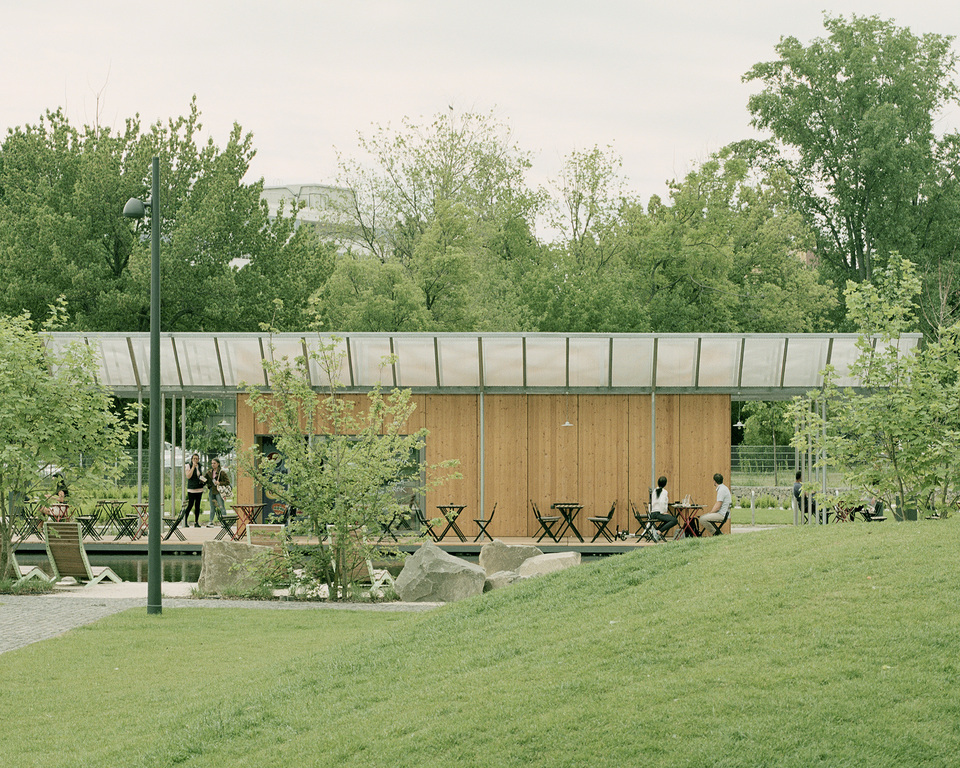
[528,455]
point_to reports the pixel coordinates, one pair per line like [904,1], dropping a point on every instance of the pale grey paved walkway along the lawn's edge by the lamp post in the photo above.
[26,619]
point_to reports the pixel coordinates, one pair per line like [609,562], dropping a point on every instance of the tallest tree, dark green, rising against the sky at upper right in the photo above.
[852,116]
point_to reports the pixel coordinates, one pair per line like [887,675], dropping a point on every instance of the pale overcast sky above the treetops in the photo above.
[659,81]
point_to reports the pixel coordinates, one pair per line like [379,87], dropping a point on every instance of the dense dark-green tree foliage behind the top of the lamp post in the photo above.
[61,190]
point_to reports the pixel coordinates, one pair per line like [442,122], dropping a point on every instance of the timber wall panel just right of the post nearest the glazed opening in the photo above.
[506,464]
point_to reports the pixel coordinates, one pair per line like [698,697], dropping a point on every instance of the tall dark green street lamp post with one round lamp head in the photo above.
[135,209]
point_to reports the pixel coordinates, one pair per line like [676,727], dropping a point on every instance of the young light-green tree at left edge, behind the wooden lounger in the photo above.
[52,411]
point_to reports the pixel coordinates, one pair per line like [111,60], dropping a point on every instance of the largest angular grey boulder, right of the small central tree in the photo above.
[430,575]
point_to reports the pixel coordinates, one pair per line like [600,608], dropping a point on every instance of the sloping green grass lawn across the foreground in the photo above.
[818,646]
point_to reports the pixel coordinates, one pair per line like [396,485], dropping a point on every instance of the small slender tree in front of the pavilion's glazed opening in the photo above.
[338,464]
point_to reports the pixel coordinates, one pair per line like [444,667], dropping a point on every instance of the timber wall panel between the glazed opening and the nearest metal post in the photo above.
[453,422]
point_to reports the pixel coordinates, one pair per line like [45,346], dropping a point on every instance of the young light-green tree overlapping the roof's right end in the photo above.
[898,437]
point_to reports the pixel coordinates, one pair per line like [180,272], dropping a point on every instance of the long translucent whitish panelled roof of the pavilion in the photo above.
[754,366]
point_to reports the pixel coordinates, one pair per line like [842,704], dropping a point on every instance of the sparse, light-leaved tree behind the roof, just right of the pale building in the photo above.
[443,200]
